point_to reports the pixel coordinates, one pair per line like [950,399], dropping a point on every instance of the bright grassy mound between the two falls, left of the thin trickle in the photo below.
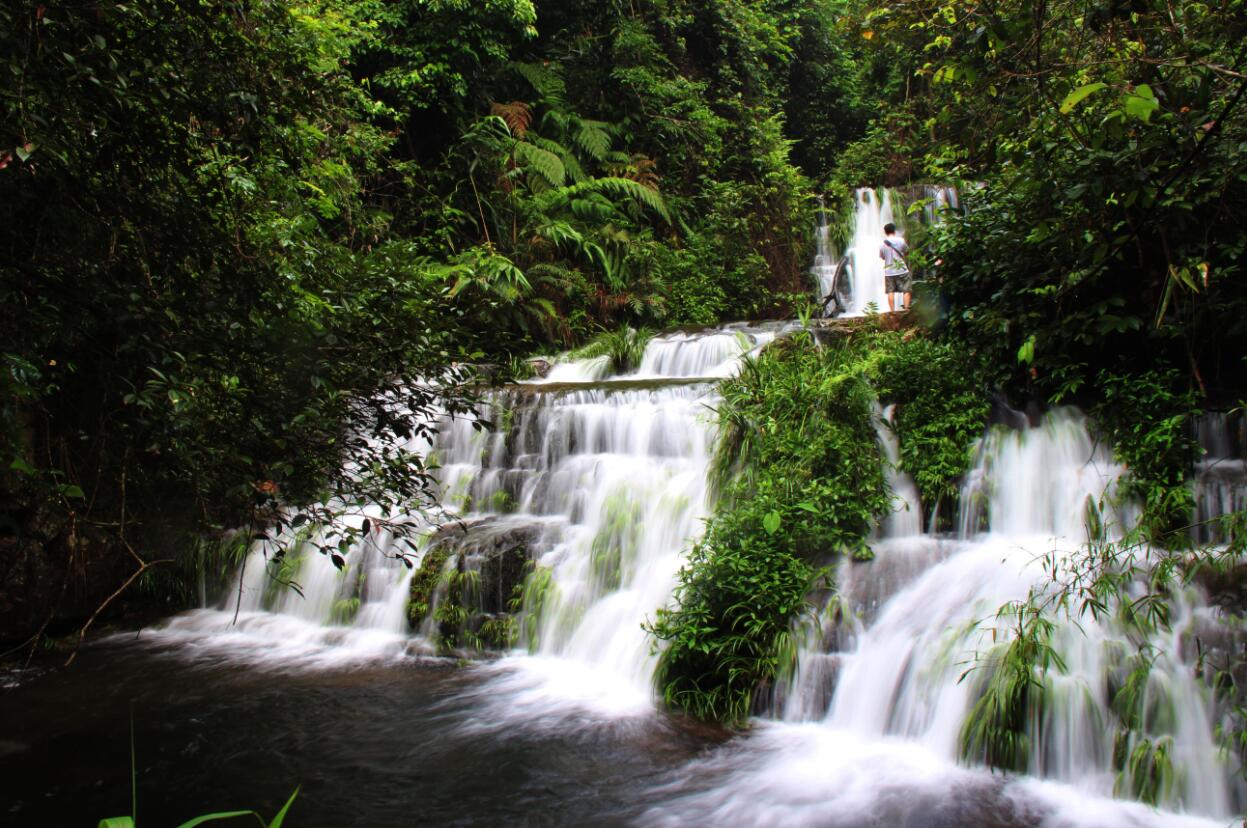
[800,483]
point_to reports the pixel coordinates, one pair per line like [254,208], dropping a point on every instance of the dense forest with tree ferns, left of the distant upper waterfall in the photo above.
[243,239]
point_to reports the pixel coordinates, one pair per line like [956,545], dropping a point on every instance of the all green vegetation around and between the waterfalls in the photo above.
[249,249]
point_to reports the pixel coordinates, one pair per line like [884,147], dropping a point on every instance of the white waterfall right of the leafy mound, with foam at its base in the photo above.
[913,638]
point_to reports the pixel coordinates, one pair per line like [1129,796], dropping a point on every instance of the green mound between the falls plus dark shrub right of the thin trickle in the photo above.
[801,484]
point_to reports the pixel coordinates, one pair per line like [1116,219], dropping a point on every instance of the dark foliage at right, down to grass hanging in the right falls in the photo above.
[1099,262]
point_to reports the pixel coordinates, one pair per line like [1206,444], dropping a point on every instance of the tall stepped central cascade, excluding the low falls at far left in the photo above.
[608,477]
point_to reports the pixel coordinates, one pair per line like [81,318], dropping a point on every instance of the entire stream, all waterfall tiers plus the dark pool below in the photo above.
[594,484]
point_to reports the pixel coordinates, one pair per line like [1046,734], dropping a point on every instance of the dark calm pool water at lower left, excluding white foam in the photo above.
[393,744]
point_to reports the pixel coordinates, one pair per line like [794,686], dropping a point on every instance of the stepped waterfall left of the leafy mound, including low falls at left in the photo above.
[574,512]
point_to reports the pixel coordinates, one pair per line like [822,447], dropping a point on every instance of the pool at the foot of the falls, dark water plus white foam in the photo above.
[402,739]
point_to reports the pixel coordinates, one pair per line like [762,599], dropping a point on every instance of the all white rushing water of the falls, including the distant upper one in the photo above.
[595,483]
